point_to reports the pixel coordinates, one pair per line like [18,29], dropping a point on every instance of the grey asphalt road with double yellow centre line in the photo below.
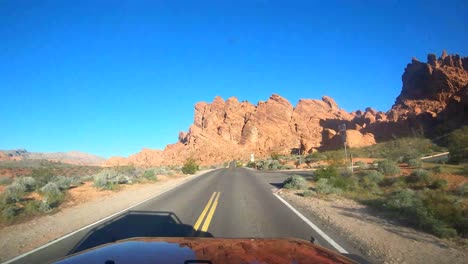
[231,202]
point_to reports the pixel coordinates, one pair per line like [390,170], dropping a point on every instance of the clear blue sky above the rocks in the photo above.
[111,77]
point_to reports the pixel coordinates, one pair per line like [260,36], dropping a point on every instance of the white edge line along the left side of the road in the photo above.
[99,221]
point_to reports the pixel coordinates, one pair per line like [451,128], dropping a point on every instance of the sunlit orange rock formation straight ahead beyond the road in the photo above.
[226,130]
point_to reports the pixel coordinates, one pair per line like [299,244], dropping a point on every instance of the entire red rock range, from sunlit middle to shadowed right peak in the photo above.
[434,97]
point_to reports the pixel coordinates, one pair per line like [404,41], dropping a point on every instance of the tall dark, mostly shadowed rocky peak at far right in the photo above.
[433,99]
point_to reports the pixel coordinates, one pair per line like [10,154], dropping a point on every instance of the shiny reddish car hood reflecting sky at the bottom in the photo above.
[207,250]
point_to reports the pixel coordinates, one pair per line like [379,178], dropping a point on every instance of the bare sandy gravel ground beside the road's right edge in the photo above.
[380,240]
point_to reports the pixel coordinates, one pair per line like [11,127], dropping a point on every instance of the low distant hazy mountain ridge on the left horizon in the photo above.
[71,157]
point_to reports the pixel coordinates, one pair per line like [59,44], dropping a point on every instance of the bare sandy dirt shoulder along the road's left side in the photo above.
[84,206]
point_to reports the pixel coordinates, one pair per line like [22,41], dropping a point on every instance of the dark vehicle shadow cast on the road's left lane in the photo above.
[137,224]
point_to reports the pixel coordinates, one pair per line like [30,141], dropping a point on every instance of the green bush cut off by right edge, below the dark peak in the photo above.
[458,145]
